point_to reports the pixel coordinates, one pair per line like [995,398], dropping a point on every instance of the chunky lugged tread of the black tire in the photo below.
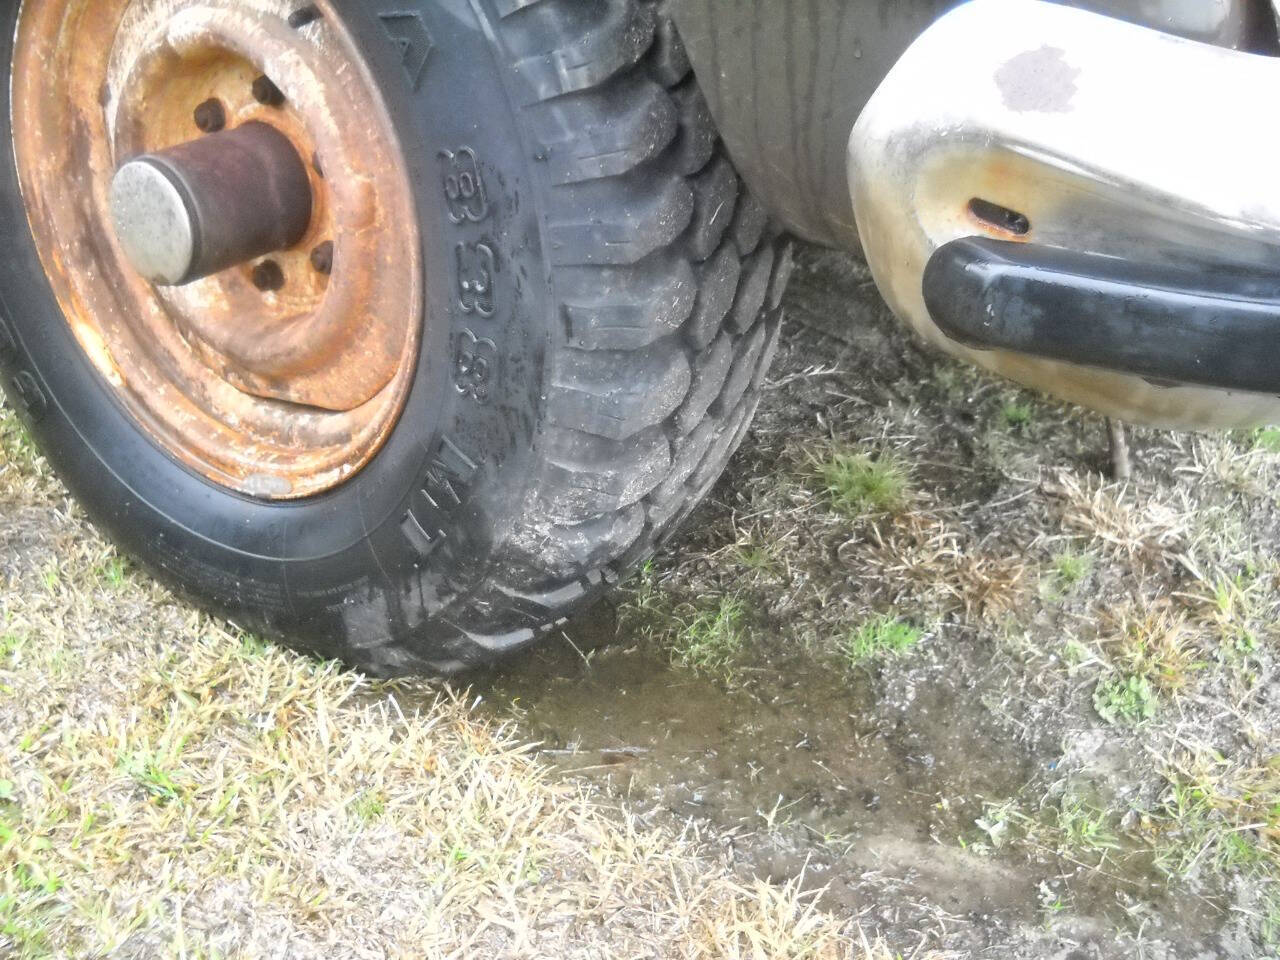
[662,266]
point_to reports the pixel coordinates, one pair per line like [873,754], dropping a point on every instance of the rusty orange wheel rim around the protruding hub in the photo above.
[278,378]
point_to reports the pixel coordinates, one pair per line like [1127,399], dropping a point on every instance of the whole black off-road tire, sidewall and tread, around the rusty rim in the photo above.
[634,314]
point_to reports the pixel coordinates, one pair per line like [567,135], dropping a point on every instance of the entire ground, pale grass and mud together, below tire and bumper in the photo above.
[918,673]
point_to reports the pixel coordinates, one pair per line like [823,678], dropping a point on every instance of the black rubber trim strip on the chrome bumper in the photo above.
[1172,324]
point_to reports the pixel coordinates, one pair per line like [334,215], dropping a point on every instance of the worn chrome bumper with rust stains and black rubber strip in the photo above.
[1087,157]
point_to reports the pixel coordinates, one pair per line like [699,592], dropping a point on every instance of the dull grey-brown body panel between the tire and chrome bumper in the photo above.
[787,80]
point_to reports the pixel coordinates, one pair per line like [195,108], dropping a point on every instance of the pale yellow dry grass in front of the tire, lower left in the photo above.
[172,788]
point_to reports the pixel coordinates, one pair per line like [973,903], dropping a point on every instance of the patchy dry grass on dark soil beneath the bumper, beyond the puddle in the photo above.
[1127,634]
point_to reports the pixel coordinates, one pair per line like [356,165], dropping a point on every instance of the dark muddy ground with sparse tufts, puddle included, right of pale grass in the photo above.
[1076,756]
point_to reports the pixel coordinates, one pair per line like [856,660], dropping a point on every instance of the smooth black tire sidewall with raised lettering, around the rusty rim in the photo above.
[409,540]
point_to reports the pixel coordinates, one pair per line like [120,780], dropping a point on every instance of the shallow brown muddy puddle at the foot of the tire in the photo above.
[867,785]
